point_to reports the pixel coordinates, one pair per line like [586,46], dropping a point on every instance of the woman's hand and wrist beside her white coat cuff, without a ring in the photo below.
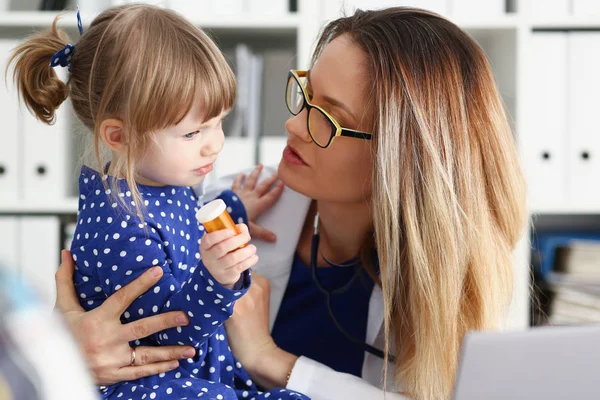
[250,340]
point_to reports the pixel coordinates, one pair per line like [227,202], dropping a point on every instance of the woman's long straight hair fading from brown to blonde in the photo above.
[448,191]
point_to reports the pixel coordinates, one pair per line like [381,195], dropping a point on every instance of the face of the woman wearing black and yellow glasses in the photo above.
[341,172]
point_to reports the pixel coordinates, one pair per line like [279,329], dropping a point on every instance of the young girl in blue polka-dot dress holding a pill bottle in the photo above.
[154,89]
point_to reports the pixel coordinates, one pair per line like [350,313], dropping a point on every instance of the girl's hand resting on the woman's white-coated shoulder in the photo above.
[257,198]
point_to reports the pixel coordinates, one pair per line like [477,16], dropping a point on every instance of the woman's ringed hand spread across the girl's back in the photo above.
[104,340]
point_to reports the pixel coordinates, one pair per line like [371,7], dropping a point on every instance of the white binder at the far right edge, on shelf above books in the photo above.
[584,118]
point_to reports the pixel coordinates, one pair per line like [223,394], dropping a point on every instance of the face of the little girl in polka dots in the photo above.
[182,154]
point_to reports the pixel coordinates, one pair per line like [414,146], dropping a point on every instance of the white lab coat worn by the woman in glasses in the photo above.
[286,219]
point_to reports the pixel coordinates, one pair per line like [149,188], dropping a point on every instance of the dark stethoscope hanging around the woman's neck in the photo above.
[343,289]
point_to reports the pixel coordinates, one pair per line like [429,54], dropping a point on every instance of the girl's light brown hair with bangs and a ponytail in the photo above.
[141,64]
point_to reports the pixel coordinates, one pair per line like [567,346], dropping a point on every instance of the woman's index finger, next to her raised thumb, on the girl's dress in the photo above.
[118,302]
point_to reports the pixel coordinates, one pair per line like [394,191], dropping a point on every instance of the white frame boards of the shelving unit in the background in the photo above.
[507,39]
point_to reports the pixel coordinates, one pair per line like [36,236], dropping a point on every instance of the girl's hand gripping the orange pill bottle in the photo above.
[222,256]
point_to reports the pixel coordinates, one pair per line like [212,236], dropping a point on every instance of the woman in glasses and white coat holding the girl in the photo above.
[421,189]
